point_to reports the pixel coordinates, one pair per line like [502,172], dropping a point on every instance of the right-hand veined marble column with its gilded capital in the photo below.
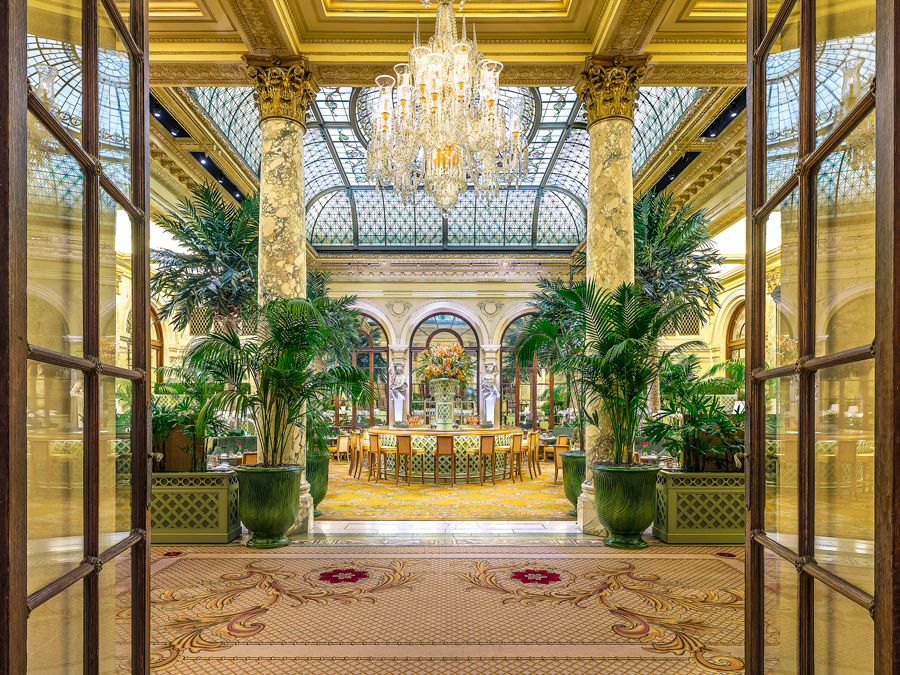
[608,89]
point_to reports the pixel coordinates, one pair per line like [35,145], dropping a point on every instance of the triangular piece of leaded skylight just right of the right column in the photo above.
[657,111]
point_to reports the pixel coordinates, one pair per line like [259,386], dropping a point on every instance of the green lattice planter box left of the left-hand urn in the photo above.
[195,508]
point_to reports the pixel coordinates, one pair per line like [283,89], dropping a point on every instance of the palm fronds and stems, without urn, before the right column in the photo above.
[612,341]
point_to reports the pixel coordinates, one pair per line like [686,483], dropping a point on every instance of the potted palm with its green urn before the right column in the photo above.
[614,363]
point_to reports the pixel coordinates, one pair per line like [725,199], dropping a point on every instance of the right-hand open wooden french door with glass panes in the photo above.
[823,324]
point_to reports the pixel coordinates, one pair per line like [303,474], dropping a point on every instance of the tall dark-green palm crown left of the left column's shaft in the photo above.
[217,273]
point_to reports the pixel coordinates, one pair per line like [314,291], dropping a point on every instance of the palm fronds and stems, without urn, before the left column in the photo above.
[272,376]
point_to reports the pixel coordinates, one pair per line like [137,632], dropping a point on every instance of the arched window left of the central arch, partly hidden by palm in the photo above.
[371,354]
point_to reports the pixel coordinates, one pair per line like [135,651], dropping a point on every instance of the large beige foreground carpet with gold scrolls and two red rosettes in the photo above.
[364,608]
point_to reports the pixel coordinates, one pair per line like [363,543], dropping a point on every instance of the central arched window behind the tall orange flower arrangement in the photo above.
[443,329]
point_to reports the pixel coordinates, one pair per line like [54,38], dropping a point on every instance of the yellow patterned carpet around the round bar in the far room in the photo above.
[352,499]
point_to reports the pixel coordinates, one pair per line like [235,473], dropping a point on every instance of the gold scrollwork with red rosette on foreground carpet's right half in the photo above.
[658,624]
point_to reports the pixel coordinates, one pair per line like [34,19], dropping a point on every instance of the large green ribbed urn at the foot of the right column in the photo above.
[624,497]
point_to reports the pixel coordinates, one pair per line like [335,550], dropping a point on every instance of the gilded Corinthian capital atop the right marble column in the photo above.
[609,88]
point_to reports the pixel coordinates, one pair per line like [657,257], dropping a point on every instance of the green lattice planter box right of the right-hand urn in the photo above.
[699,508]
